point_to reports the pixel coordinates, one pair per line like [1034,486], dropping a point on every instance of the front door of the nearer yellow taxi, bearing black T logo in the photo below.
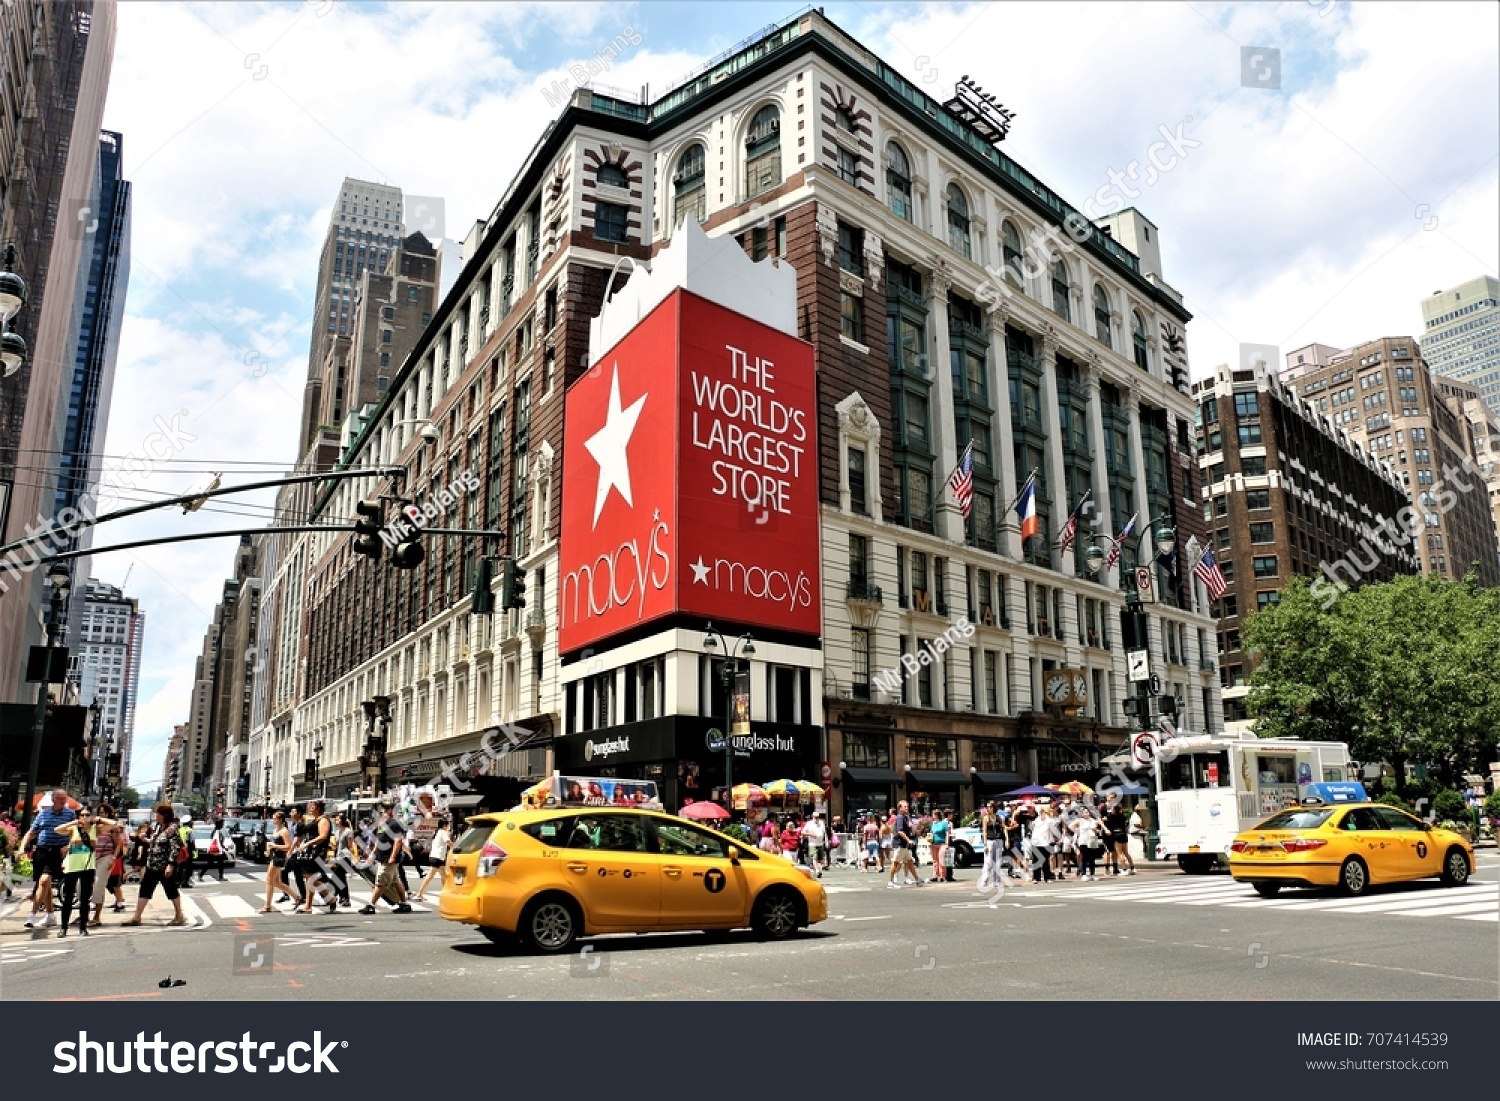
[701,887]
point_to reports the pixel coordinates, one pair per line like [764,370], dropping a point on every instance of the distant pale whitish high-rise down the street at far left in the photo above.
[107,662]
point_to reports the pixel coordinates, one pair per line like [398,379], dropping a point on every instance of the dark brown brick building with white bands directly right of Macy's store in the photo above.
[1286,493]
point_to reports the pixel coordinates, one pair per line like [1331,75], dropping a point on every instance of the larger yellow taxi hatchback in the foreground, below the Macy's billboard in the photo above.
[551,877]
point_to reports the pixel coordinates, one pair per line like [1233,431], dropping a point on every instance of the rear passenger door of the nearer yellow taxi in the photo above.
[605,862]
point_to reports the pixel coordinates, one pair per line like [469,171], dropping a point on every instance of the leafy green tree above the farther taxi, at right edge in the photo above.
[1403,671]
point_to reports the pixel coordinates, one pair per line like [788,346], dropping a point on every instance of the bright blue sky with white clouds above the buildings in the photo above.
[1321,211]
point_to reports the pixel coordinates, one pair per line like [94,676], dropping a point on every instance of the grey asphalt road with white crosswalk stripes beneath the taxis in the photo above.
[1159,935]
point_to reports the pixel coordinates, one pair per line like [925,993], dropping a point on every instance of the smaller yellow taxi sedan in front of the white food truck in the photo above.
[1352,847]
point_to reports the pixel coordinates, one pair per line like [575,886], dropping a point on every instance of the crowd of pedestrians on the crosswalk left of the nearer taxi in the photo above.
[83,857]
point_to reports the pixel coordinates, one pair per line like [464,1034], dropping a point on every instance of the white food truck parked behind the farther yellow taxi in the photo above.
[1210,790]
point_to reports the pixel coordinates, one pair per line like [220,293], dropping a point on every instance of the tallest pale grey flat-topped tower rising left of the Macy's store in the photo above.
[364,232]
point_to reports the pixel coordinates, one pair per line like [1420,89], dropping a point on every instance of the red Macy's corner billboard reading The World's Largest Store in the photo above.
[691,479]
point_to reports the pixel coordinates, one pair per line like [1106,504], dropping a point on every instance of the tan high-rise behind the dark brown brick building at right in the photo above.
[1387,398]
